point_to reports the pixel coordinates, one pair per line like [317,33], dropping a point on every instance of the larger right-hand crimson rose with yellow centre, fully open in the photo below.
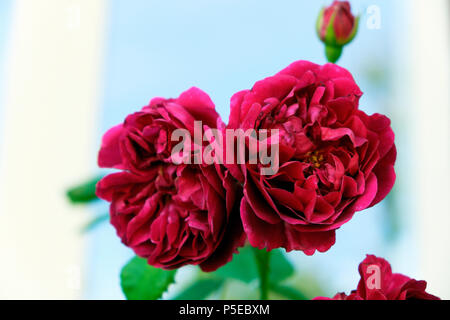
[334,159]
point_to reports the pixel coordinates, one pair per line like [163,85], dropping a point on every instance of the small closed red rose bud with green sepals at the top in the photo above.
[336,27]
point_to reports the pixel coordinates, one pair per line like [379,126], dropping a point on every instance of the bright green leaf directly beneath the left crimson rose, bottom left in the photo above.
[141,281]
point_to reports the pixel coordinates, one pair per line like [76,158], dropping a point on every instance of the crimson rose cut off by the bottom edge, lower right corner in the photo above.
[389,286]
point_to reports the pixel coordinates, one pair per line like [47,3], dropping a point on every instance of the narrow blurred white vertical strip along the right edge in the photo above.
[430,178]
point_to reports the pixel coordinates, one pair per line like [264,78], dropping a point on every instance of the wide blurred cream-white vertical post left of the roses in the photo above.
[51,101]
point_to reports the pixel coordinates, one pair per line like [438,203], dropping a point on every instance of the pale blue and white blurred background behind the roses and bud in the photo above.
[71,69]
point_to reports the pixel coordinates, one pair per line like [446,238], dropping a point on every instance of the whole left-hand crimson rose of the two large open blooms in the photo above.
[172,215]
